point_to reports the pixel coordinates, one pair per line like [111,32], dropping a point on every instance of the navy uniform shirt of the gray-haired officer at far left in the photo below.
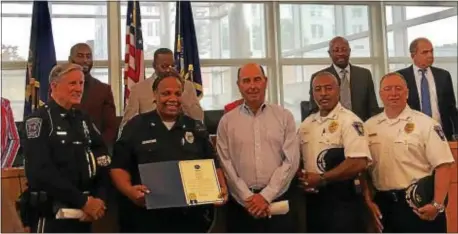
[65,155]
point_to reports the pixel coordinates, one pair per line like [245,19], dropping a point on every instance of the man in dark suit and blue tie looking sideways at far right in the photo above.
[430,88]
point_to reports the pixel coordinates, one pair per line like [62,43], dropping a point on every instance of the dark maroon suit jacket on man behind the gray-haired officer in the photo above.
[98,103]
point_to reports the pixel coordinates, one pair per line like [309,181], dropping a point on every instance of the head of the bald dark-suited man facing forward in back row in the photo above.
[339,51]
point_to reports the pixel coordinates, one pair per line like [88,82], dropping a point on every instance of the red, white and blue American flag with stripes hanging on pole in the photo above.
[134,68]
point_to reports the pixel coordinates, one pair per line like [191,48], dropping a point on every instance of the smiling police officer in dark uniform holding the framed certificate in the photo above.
[164,134]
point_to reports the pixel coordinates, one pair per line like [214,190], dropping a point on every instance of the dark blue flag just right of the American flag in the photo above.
[186,51]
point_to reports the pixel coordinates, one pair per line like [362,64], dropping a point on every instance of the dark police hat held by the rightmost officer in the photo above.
[421,192]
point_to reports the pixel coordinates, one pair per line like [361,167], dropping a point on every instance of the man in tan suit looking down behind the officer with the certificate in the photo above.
[141,98]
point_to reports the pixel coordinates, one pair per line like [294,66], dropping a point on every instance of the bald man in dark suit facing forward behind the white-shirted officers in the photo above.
[356,85]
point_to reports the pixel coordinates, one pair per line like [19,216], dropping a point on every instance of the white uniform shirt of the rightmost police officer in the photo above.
[405,149]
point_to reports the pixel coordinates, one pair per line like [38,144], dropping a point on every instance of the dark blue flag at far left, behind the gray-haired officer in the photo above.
[42,58]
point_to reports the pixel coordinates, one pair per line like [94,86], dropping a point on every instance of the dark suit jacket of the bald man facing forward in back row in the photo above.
[363,100]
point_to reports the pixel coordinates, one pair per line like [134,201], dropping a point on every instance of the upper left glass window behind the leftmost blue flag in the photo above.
[71,24]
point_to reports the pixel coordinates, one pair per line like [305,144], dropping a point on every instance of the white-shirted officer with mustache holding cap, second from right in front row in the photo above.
[334,200]
